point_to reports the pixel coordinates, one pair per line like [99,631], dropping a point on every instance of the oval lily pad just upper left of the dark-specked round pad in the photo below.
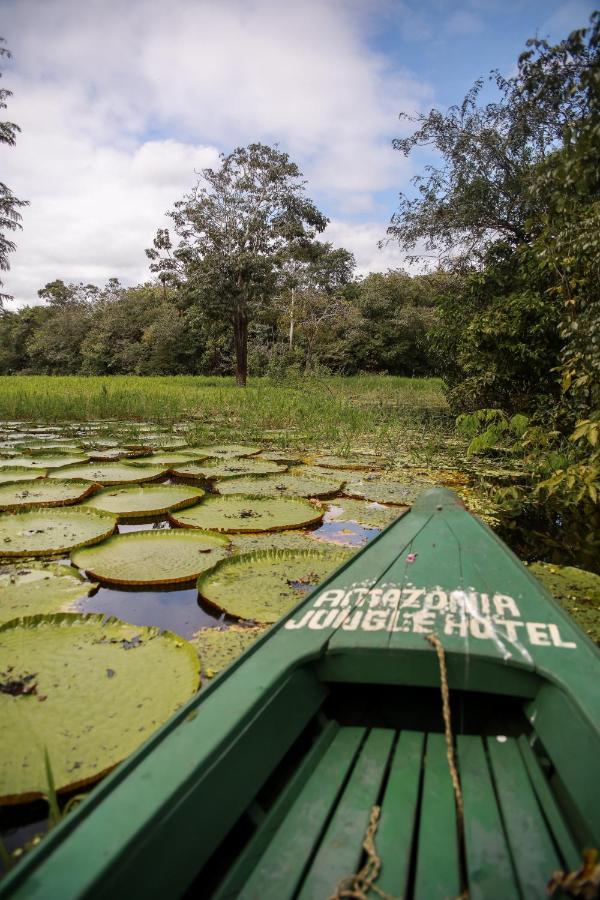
[132,501]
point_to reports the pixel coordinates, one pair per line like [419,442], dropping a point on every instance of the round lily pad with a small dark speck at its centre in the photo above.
[240,513]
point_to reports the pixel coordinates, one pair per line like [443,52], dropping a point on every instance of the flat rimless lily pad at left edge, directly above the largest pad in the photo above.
[40,588]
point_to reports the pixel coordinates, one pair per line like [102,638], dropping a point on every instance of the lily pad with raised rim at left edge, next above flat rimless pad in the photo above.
[47,532]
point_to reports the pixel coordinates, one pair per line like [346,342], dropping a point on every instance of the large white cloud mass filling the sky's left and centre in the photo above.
[120,102]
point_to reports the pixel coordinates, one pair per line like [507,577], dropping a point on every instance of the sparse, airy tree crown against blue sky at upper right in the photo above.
[479,194]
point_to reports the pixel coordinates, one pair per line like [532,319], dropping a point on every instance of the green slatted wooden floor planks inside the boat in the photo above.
[515,835]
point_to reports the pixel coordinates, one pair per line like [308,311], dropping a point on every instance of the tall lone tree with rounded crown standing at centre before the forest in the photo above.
[234,228]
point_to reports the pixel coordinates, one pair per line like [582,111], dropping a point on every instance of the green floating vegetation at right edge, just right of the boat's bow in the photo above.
[575,589]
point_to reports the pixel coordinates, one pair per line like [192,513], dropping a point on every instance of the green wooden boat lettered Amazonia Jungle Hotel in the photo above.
[268,782]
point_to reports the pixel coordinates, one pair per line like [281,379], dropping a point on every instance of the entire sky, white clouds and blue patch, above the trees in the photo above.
[121,104]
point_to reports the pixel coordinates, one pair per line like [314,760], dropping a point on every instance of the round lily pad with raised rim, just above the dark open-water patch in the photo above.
[151,557]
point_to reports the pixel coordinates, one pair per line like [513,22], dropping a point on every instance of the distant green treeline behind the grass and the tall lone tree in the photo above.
[343,325]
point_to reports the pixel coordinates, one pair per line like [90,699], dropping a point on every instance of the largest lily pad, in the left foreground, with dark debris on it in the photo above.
[86,690]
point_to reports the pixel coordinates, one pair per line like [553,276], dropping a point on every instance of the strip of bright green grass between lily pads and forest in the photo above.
[333,412]
